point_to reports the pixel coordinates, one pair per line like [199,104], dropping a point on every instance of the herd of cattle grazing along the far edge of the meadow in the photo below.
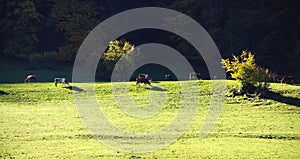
[146,79]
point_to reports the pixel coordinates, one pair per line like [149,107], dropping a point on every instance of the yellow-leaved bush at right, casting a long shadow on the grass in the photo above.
[252,78]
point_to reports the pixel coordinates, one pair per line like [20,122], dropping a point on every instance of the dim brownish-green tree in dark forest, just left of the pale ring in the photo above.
[74,20]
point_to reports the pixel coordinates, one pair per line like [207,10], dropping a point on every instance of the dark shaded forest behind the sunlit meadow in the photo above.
[51,31]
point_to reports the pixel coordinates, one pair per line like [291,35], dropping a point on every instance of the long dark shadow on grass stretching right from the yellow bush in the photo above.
[280,98]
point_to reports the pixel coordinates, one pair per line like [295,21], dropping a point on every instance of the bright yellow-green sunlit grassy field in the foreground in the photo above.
[38,120]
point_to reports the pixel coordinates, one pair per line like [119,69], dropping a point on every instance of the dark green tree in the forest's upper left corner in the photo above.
[19,27]
